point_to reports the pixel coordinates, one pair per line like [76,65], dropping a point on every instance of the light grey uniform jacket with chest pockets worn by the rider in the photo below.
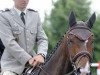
[19,39]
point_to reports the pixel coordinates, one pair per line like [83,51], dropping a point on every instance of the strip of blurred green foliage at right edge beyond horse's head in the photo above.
[96,30]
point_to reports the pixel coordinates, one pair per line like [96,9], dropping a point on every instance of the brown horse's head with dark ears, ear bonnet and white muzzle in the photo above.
[80,43]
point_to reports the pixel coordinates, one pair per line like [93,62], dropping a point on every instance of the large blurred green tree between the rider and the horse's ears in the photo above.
[57,23]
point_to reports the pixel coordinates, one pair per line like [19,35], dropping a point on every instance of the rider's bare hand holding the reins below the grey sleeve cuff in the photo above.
[36,60]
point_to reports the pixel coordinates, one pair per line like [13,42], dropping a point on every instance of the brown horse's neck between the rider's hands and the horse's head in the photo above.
[56,65]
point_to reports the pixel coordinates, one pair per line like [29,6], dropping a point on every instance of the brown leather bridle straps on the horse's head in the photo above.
[78,55]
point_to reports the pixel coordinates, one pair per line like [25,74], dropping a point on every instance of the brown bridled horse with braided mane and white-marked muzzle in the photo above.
[73,54]
